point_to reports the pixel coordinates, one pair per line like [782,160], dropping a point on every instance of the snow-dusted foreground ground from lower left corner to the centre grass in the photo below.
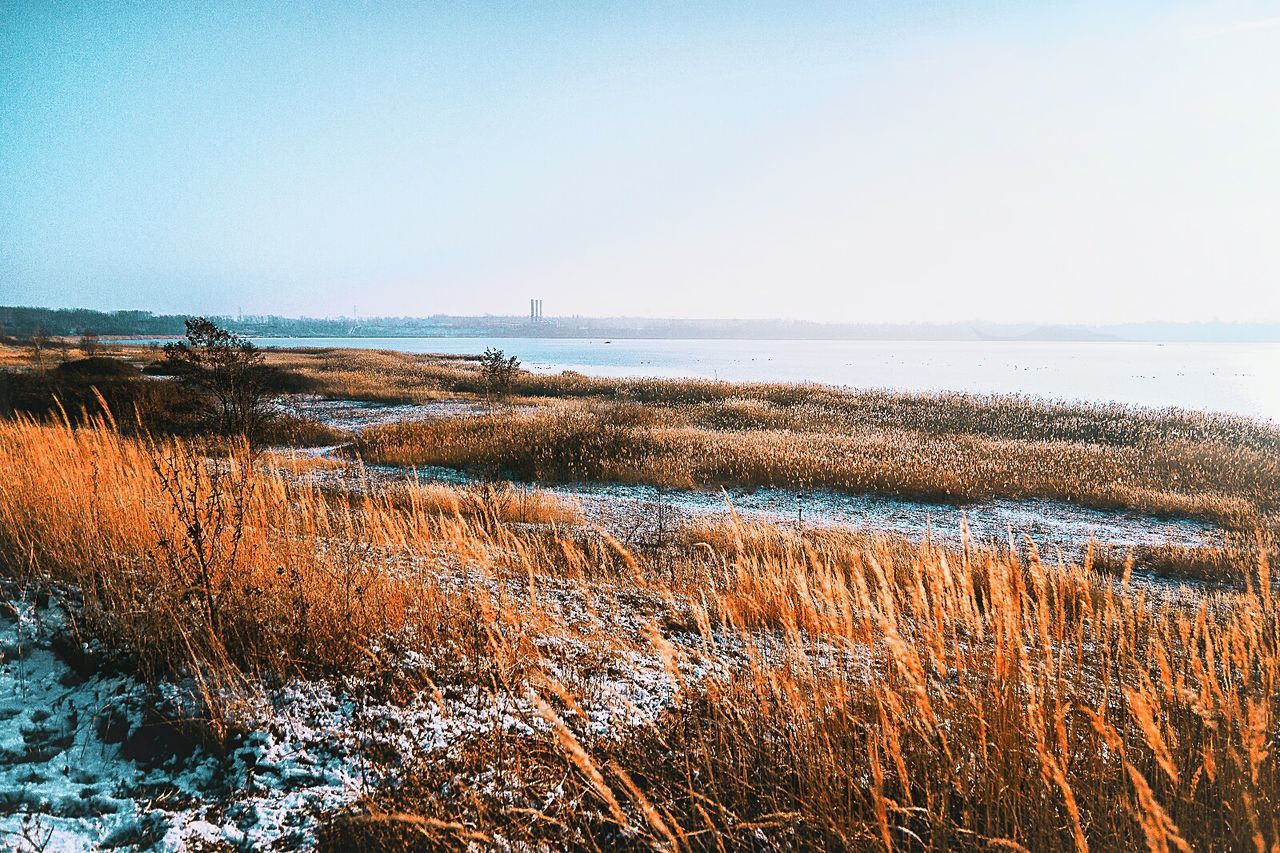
[89,763]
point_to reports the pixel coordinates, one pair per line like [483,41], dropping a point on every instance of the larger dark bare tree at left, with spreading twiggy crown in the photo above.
[230,370]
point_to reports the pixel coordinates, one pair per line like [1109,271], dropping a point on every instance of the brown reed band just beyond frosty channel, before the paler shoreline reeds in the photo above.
[1232,482]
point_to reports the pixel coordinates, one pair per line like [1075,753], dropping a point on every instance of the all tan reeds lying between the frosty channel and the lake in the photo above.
[706,435]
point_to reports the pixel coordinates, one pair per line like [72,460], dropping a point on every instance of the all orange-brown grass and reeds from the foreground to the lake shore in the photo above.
[739,685]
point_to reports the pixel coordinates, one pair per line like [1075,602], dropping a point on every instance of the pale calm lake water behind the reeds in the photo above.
[1237,378]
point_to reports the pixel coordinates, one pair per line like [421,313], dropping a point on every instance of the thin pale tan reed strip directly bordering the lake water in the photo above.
[386,376]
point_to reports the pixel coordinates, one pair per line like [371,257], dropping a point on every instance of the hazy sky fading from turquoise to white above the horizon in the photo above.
[847,162]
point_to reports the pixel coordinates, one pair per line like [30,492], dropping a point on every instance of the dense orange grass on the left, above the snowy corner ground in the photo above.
[223,568]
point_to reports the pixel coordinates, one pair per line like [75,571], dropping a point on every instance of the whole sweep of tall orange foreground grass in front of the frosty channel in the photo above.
[834,692]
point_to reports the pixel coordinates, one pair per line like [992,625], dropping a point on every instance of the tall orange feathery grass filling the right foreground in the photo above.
[972,701]
